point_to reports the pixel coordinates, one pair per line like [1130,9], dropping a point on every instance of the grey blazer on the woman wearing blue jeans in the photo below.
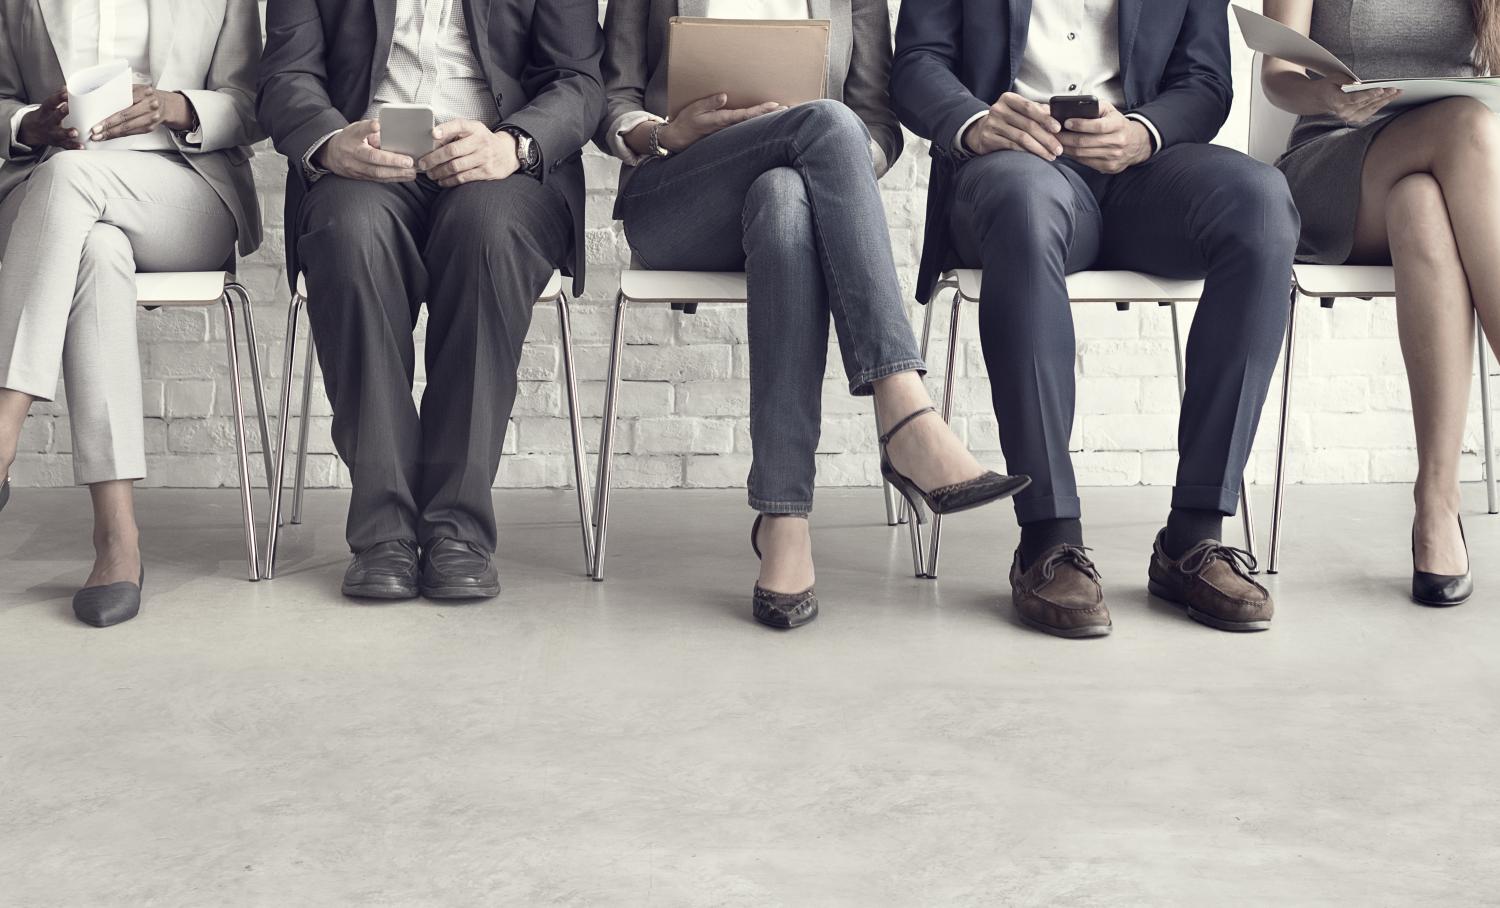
[859,64]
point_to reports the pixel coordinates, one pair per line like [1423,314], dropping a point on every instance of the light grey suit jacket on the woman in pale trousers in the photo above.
[206,50]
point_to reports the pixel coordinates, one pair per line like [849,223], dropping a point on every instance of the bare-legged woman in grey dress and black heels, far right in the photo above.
[1412,187]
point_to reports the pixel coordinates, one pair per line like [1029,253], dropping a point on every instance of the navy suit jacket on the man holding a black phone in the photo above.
[956,58]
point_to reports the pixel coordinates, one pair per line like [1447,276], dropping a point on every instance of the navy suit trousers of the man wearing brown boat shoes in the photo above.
[1189,212]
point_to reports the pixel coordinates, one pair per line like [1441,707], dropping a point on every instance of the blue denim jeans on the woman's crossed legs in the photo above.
[791,200]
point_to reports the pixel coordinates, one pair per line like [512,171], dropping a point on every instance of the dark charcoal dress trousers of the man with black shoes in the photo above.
[478,256]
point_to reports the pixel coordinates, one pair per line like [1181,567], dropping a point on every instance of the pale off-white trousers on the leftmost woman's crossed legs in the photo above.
[71,241]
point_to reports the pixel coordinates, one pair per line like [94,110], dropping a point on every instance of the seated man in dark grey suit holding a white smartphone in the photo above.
[473,229]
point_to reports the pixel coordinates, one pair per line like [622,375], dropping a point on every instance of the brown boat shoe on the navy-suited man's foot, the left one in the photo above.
[1061,594]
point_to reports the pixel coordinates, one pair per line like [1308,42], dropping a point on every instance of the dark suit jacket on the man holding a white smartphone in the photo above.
[325,58]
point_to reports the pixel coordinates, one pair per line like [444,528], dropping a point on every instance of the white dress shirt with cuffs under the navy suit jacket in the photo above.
[1073,47]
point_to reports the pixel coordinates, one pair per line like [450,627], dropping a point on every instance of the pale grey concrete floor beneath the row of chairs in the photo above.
[643,742]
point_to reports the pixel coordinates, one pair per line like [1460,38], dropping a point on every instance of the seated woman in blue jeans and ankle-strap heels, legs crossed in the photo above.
[790,197]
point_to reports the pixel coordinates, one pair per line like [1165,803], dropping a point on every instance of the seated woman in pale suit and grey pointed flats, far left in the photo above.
[161,185]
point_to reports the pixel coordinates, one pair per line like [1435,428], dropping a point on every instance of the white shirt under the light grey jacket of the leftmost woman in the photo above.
[109,31]
